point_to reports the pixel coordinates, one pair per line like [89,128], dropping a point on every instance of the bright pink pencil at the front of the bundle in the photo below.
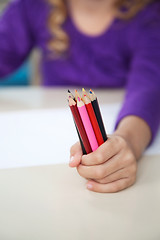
[87,124]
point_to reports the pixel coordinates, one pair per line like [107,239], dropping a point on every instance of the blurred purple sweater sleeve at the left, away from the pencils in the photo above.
[16,40]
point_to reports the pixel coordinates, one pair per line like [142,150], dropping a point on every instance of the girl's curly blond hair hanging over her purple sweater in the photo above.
[60,41]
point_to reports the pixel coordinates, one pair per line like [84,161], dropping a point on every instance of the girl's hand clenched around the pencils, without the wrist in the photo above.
[111,168]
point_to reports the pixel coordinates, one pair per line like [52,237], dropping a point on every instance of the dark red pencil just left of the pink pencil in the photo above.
[80,126]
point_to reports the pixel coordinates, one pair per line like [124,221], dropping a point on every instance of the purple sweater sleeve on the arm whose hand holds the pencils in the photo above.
[142,96]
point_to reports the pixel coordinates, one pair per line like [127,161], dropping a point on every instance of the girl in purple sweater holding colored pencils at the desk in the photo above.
[105,43]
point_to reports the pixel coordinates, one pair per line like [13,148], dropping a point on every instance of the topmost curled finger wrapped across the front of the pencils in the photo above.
[107,150]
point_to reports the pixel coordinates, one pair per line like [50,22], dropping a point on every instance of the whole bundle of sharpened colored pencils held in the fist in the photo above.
[88,120]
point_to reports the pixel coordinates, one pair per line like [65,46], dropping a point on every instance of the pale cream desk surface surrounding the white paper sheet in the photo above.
[51,202]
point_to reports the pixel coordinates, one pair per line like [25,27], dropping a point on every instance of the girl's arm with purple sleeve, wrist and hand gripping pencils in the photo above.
[113,166]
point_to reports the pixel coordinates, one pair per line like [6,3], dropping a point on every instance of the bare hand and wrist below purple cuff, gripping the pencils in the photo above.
[113,166]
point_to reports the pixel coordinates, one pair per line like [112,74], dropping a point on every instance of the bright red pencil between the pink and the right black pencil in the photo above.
[93,120]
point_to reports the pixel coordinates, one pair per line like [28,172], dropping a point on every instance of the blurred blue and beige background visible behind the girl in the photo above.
[28,73]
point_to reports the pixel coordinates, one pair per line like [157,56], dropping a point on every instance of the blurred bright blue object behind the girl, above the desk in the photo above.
[19,78]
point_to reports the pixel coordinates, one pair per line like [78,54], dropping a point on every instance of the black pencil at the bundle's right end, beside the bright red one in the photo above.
[96,108]
